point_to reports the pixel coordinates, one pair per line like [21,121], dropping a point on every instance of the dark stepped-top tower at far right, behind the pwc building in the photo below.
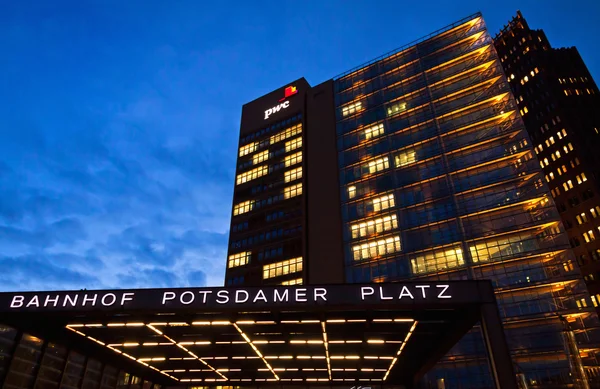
[560,105]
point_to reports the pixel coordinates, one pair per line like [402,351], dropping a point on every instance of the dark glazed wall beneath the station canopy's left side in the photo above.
[28,362]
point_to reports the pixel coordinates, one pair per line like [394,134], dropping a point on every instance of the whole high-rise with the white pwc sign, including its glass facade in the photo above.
[416,165]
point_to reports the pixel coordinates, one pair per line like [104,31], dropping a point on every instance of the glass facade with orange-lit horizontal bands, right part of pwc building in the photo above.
[438,180]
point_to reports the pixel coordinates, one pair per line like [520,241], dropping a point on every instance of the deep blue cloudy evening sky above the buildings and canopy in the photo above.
[119,119]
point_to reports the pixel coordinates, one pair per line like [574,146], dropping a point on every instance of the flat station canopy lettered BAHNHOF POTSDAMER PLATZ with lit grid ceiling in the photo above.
[375,334]
